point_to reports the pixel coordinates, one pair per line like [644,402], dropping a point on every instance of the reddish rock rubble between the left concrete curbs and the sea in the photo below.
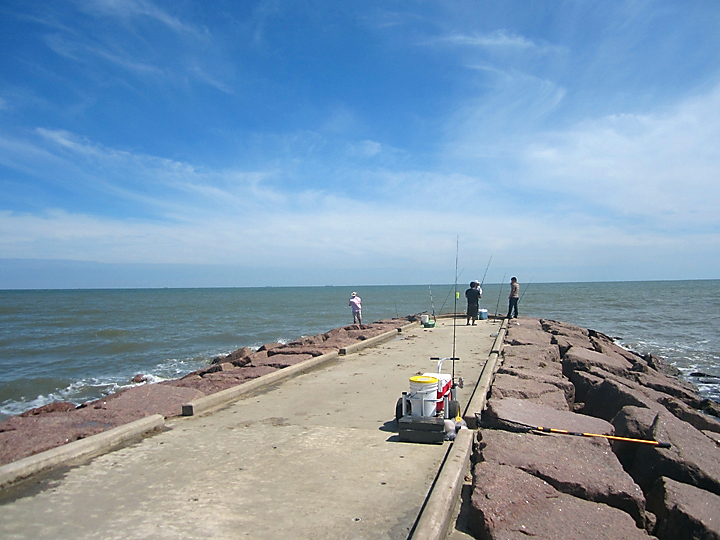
[57,424]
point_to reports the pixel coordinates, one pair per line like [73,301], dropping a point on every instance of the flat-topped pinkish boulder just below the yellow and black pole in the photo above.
[582,467]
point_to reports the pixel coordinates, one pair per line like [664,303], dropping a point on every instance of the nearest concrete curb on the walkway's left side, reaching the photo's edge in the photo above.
[77,450]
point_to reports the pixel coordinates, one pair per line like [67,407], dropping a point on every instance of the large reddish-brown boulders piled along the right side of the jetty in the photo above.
[532,484]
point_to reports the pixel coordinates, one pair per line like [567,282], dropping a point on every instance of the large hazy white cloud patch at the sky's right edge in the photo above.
[662,166]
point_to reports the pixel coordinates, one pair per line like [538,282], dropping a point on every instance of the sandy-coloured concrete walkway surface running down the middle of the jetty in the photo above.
[316,456]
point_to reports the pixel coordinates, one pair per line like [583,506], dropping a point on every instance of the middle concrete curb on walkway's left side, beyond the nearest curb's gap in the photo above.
[218,399]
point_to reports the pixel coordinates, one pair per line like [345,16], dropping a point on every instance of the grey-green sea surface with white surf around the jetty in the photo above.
[78,345]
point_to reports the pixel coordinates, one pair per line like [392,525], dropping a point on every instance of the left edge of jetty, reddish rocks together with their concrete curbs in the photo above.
[62,434]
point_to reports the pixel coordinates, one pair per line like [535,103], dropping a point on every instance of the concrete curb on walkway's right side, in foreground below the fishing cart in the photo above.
[434,522]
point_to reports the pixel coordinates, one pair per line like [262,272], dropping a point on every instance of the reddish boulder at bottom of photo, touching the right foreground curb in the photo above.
[509,503]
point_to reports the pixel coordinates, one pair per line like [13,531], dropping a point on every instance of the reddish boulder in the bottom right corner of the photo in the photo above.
[684,512]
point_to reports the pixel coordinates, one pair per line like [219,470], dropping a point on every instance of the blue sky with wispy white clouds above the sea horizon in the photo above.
[148,143]
